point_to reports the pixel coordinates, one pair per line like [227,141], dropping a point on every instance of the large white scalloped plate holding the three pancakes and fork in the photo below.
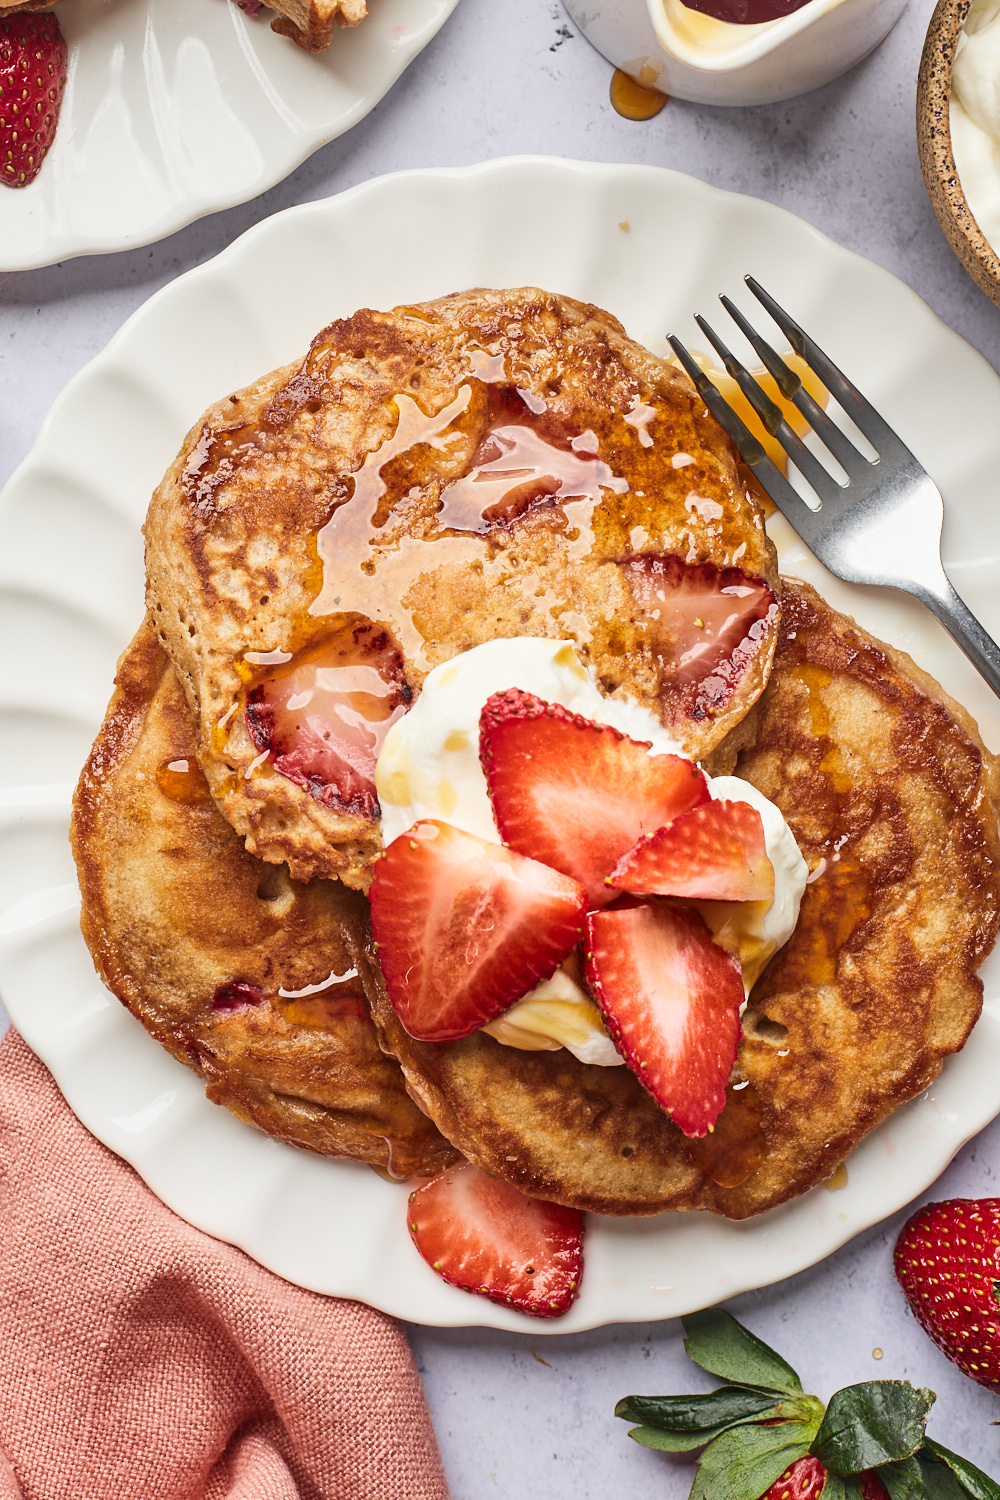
[650,245]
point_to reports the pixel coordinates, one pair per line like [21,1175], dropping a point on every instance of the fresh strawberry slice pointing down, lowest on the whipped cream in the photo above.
[671,1000]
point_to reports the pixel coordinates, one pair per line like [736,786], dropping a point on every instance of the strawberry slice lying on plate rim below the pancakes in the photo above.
[488,1238]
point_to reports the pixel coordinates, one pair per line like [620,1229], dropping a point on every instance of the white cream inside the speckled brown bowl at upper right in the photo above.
[975,115]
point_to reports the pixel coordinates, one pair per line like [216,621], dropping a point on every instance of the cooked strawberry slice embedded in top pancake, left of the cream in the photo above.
[323,716]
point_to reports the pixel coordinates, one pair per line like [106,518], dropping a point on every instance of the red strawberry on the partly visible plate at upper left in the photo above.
[32,85]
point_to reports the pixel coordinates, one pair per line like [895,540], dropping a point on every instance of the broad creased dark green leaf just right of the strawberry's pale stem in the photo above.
[876,1423]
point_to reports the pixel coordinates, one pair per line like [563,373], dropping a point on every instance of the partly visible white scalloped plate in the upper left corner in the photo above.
[176,109]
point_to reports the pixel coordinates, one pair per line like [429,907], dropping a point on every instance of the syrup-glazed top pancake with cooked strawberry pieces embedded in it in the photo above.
[491,464]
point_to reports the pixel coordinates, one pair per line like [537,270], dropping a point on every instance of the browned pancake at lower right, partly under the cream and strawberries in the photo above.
[891,796]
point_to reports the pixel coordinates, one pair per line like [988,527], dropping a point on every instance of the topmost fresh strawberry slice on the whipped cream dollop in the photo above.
[575,794]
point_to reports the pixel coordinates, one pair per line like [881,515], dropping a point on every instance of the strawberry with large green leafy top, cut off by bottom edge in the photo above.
[762,1438]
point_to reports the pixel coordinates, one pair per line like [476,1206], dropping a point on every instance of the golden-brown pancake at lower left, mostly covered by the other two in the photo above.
[178,914]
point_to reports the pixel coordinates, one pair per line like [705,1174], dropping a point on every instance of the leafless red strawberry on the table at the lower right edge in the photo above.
[948,1264]
